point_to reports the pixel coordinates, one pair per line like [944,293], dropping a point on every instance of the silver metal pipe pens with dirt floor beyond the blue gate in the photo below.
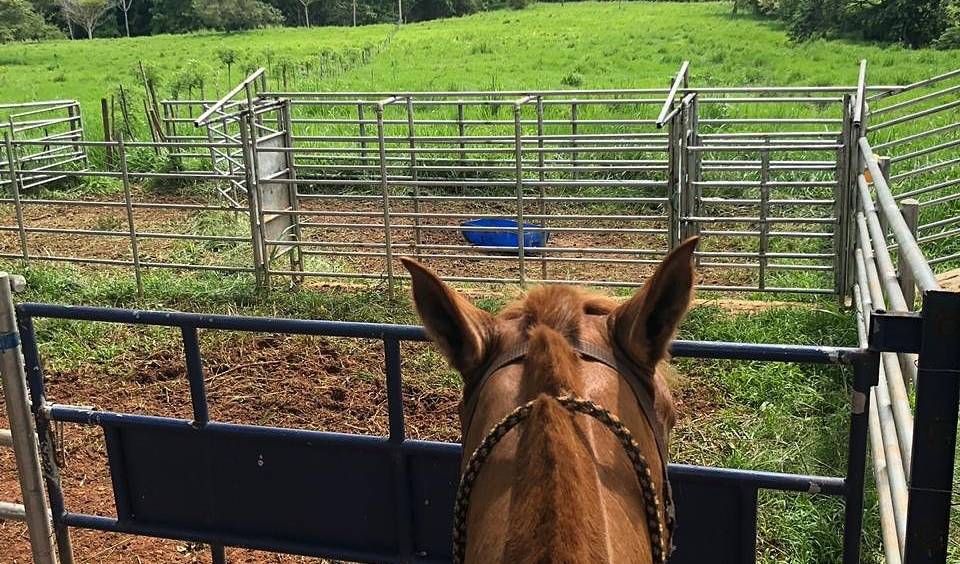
[337,185]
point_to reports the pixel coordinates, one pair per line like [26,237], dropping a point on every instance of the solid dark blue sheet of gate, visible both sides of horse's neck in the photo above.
[321,494]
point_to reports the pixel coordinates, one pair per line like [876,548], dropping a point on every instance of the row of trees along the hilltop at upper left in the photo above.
[25,20]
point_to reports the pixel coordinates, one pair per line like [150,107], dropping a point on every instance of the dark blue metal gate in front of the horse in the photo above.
[375,499]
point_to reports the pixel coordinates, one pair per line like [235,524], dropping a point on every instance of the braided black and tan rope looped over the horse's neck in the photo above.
[655,526]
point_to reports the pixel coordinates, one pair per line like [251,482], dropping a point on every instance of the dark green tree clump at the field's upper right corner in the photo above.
[914,23]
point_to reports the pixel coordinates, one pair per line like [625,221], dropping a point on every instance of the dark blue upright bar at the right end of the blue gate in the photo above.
[866,372]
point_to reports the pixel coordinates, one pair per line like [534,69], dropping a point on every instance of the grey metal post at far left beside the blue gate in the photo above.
[23,430]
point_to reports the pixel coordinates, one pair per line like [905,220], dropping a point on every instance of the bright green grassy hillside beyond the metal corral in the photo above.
[593,45]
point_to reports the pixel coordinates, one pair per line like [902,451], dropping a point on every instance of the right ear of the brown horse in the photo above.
[643,327]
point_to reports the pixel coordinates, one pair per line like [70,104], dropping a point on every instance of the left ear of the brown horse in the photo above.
[461,330]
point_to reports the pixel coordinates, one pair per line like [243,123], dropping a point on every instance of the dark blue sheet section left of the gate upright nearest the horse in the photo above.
[263,489]
